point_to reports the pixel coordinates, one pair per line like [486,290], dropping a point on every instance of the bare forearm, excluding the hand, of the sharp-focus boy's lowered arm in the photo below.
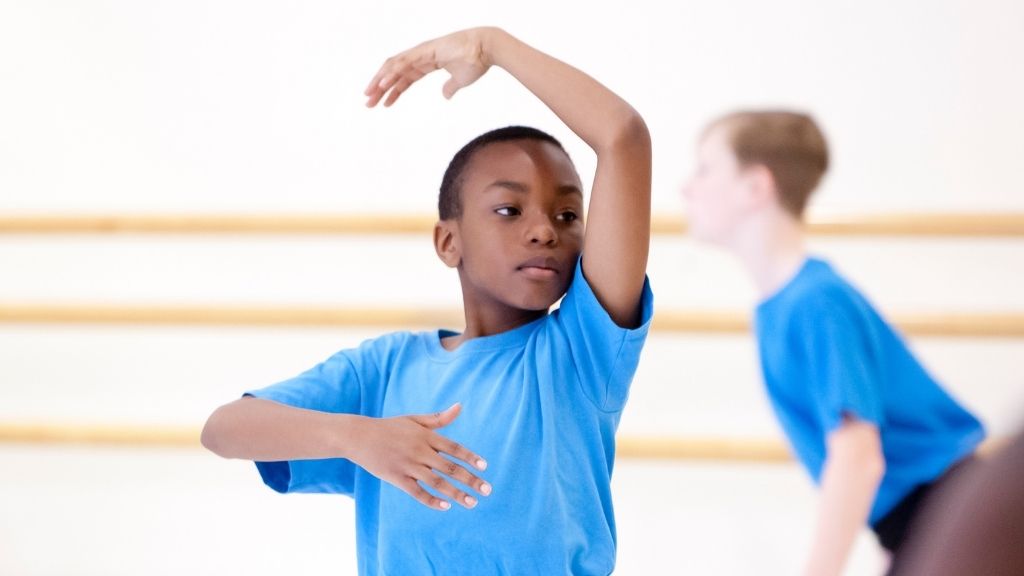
[261,430]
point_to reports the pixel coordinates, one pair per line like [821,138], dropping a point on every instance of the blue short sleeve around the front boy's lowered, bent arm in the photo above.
[331,387]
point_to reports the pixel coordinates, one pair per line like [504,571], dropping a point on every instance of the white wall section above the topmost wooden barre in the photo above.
[258,106]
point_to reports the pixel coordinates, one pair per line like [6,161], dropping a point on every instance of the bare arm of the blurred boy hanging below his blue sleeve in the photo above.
[849,483]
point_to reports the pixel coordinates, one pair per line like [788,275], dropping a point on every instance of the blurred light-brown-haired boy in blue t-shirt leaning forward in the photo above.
[870,425]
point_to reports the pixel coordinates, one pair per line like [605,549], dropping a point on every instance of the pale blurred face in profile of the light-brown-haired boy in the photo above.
[718,193]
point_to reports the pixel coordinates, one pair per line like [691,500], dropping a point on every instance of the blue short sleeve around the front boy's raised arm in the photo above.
[606,355]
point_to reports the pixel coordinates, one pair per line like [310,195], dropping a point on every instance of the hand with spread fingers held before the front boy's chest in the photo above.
[406,451]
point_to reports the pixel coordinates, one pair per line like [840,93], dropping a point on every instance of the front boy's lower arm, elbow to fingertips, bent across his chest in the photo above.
[401,450]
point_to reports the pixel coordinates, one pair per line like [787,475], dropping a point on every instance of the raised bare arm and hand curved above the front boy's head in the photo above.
[618,235]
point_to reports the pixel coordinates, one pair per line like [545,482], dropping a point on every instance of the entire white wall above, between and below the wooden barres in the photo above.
[194,107]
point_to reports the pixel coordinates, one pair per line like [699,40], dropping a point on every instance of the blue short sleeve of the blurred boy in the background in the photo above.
[843,362]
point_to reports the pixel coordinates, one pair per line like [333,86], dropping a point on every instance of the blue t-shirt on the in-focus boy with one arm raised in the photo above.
[541,403]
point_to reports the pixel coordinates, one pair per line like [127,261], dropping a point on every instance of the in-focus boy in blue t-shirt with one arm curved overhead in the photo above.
[538,395]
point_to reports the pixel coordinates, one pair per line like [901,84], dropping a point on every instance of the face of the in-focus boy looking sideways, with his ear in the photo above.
[522,230]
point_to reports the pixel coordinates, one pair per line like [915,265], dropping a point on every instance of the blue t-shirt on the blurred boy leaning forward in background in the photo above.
[826,353]
